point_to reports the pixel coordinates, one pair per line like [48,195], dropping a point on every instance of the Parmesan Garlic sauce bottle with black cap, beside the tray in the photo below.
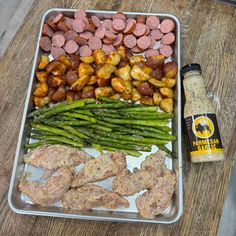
[200,118]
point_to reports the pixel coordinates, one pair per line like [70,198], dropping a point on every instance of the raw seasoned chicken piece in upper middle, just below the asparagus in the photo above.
[100,168]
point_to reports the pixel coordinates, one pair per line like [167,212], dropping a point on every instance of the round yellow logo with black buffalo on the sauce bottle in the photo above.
[203,127]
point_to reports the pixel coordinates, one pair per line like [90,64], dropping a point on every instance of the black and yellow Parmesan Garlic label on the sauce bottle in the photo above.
[203,133]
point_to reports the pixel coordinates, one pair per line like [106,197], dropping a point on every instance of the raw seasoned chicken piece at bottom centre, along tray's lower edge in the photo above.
[90,196]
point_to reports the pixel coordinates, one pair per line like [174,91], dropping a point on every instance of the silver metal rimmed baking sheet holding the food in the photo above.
[19,203]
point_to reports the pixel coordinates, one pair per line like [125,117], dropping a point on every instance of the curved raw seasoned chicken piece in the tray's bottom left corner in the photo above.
[50,192]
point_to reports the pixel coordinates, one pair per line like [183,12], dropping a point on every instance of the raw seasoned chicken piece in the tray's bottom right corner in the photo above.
[155,201]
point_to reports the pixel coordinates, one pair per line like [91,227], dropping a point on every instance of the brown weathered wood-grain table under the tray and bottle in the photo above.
[208,38]
